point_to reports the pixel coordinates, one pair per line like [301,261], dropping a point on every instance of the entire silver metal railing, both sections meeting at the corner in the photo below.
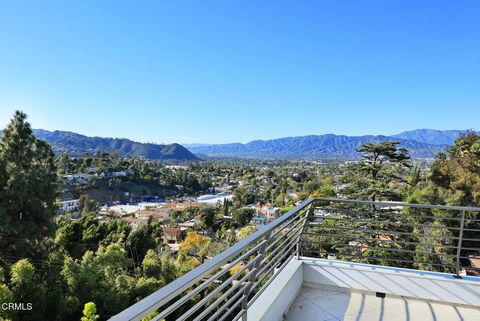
[428,237]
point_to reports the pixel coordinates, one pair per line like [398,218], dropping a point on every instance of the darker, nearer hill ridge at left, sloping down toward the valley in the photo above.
[76,144]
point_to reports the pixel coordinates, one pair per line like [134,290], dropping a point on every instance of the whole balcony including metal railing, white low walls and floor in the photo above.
[386,261]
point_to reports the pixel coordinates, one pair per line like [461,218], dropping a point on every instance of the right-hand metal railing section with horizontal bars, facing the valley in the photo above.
[419,236]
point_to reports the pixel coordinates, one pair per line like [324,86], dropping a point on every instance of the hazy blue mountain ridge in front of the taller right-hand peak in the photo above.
[328,146]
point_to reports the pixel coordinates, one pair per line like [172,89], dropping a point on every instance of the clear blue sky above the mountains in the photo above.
[228,71]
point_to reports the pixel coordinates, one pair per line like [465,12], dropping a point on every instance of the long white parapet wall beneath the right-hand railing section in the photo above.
[396,281]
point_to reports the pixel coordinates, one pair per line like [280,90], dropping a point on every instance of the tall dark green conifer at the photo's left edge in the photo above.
[27,189]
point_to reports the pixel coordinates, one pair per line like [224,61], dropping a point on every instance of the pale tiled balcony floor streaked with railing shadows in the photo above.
[329,305]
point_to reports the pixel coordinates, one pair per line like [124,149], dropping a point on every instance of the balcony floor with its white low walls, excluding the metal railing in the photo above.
[312,289]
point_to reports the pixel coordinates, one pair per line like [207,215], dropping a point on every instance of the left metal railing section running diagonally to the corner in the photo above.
[224,287]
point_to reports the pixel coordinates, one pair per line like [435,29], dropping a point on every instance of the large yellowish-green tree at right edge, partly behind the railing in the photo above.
[454,180]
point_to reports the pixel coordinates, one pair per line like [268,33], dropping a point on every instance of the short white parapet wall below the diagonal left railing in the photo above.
[279,295]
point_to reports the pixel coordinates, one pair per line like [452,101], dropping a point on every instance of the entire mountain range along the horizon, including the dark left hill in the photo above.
[421,143]
